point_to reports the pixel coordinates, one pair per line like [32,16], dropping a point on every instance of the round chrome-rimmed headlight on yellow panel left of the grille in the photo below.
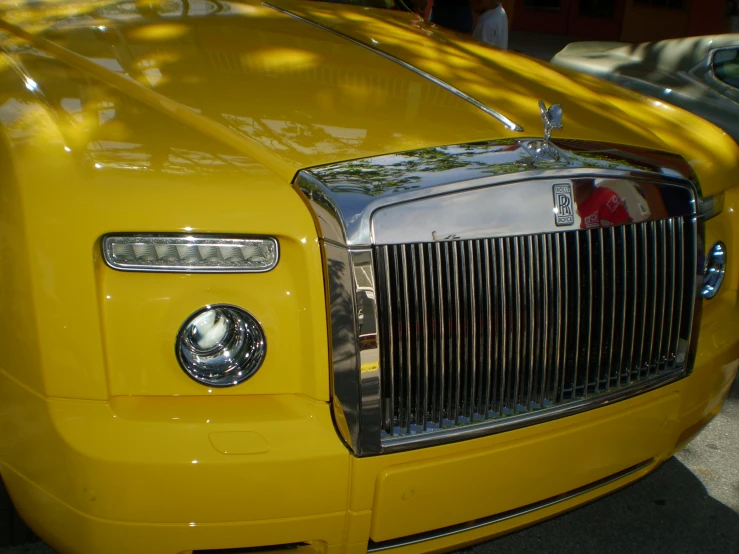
[221,346]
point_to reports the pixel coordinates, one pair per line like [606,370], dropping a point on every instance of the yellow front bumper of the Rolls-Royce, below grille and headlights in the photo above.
[173,475]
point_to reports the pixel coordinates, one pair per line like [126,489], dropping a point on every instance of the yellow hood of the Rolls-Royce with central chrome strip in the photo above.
[291,92]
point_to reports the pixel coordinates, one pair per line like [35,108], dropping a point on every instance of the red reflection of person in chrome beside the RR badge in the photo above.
[598,206]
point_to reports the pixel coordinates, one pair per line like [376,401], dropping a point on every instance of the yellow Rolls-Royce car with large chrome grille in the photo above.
[292,274]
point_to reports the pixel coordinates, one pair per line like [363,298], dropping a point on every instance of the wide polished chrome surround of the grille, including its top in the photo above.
[464,192]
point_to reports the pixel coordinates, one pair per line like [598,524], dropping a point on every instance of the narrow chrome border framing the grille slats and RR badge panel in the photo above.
[356,389]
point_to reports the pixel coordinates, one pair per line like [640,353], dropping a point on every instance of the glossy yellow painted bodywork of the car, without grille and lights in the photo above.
[136,122]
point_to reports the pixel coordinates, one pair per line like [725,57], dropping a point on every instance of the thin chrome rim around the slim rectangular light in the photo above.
[185,239]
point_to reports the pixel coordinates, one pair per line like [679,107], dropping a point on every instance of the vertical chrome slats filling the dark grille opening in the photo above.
[475,331]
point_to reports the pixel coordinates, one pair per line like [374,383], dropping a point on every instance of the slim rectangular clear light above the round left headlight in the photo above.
[190,253]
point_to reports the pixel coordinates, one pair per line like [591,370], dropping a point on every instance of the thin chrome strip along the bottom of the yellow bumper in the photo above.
[499,518]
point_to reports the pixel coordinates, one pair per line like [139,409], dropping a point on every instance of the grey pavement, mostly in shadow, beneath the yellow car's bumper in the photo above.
[690,505]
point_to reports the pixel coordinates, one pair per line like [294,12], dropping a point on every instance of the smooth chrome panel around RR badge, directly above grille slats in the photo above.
[518,208]
